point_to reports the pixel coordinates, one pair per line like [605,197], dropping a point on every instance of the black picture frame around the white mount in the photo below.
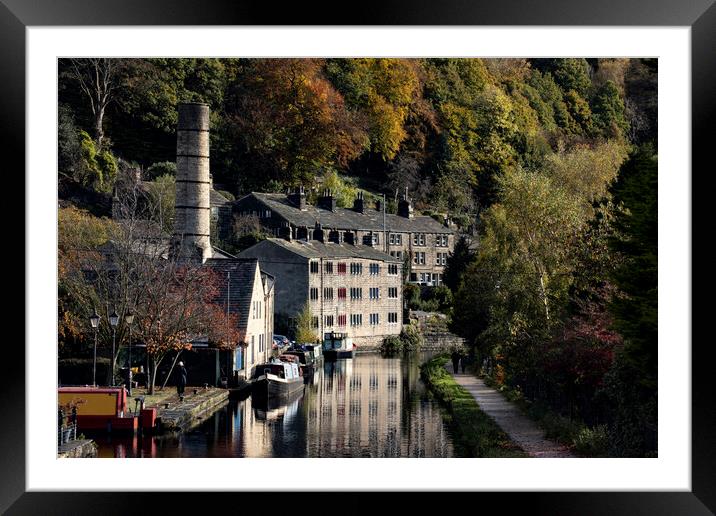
[700,15]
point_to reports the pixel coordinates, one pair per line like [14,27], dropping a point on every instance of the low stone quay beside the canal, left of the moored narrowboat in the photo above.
[181,415]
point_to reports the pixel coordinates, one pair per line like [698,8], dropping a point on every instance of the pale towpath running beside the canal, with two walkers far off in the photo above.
[513,422]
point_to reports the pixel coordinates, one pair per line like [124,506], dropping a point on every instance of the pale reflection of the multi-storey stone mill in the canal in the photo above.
[360,411]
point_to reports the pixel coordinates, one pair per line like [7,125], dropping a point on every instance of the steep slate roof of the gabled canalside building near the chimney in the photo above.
[240,288]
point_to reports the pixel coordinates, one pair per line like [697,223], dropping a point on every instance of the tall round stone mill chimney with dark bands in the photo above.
[193,183]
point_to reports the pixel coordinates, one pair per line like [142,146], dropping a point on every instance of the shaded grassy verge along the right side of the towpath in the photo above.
[581,439]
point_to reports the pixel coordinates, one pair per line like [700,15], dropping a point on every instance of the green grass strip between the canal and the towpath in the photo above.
[475,434]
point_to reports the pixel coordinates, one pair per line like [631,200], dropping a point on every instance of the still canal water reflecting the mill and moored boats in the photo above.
[367,406]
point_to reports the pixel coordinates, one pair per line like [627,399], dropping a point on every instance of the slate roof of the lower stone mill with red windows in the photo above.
[316,249]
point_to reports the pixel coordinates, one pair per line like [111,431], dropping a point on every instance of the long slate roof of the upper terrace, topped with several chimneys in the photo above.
[346,218]
